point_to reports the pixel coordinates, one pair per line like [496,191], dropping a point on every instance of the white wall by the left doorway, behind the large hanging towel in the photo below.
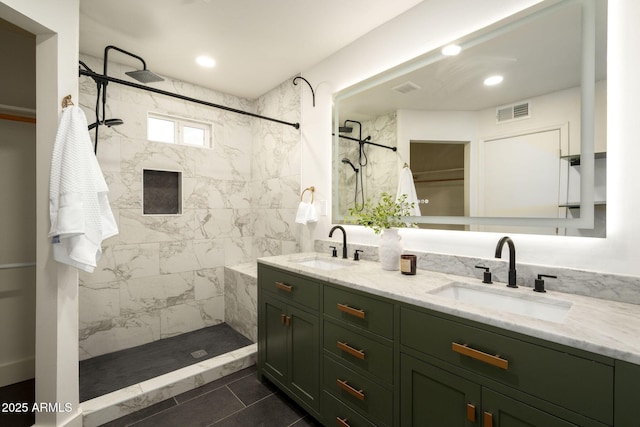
[56,27]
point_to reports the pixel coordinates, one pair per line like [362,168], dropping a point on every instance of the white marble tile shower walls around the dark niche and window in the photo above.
[164,274]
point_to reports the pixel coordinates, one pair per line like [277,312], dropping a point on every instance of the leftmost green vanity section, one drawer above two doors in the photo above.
[289,336]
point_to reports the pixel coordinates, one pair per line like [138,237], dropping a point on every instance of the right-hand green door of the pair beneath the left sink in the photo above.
[304,353]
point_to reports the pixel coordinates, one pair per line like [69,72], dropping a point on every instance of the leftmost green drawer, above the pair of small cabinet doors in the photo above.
[289,286]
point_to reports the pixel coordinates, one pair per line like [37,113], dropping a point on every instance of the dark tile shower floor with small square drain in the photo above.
[104,374]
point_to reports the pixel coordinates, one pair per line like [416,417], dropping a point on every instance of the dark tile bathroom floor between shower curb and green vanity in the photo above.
[237,400]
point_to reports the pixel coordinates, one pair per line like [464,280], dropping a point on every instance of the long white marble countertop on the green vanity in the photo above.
[600,326]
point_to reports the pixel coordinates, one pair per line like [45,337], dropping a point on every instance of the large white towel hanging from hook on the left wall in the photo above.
[78,206]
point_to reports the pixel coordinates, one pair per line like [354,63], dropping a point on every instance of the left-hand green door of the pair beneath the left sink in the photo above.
[274,338]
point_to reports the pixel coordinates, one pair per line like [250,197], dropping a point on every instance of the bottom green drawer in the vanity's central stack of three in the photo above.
[359,393]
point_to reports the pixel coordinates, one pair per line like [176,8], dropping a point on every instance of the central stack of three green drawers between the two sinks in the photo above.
[358,365]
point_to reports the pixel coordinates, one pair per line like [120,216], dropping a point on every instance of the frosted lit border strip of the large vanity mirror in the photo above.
[587,117]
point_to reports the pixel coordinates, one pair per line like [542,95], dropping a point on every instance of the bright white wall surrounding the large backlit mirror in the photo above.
[432,24]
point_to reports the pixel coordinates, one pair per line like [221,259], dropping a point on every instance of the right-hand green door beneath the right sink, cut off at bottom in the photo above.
[499,410]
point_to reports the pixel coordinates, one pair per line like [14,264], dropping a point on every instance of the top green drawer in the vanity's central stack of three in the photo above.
[362,311]
